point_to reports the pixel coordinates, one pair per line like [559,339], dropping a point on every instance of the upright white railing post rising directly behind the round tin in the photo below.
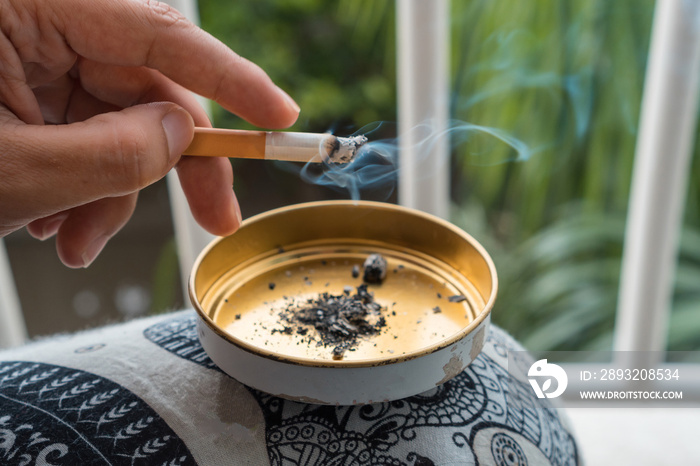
[423,98]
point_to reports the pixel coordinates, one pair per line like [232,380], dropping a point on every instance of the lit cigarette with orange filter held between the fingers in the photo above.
[271,145]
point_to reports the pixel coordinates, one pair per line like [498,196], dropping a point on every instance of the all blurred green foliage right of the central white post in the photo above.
[566,78]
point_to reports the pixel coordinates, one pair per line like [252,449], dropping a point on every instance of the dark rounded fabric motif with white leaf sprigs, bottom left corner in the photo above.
[52,415]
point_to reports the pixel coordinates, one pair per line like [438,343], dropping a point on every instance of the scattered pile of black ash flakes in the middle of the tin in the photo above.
[337,321]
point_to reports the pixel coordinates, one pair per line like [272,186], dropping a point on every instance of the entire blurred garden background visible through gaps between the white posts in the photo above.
[564,80]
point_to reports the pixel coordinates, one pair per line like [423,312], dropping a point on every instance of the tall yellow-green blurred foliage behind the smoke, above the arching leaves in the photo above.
[566,79]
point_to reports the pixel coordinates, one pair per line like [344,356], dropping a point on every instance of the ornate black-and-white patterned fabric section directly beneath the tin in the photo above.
[482,416]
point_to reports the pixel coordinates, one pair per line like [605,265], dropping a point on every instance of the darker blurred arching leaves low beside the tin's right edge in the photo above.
[558,289]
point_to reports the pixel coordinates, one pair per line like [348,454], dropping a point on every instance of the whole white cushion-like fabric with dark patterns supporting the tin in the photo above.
[145,392]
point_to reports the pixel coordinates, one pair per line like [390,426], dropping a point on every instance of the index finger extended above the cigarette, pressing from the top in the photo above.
[153,34]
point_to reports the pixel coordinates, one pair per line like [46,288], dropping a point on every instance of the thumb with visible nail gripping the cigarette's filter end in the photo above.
[108,155]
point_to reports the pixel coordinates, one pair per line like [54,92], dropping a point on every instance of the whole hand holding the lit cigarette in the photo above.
[94,106]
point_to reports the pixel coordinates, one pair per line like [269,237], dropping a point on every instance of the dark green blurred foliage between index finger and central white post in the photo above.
[334,58]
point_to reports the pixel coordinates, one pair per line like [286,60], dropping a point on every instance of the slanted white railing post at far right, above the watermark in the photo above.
[661,169]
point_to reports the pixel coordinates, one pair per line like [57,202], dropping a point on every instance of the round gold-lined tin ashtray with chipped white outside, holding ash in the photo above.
[258,291]
